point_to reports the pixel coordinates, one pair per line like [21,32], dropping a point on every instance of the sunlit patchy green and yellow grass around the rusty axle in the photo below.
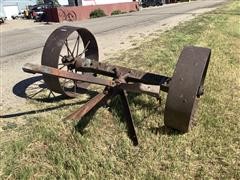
[46,147]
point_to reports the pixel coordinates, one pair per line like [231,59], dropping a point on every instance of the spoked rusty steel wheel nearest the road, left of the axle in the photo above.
[60,52]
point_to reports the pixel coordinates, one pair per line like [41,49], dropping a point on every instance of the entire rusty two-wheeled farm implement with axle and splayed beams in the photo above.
[82,67]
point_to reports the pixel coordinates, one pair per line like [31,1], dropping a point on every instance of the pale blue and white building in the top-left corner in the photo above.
[13,7]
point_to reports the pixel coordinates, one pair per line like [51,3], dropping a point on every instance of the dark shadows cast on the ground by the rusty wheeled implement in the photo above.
[116,106]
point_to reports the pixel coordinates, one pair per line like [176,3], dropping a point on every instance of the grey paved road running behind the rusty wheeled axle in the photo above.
[14,42]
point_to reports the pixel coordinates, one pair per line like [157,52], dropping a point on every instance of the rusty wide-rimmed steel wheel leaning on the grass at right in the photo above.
[185,87]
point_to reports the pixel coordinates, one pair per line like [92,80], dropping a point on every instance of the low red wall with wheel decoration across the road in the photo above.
[78,10]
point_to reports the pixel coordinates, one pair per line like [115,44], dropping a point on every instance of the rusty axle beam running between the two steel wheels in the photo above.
[87,65]
